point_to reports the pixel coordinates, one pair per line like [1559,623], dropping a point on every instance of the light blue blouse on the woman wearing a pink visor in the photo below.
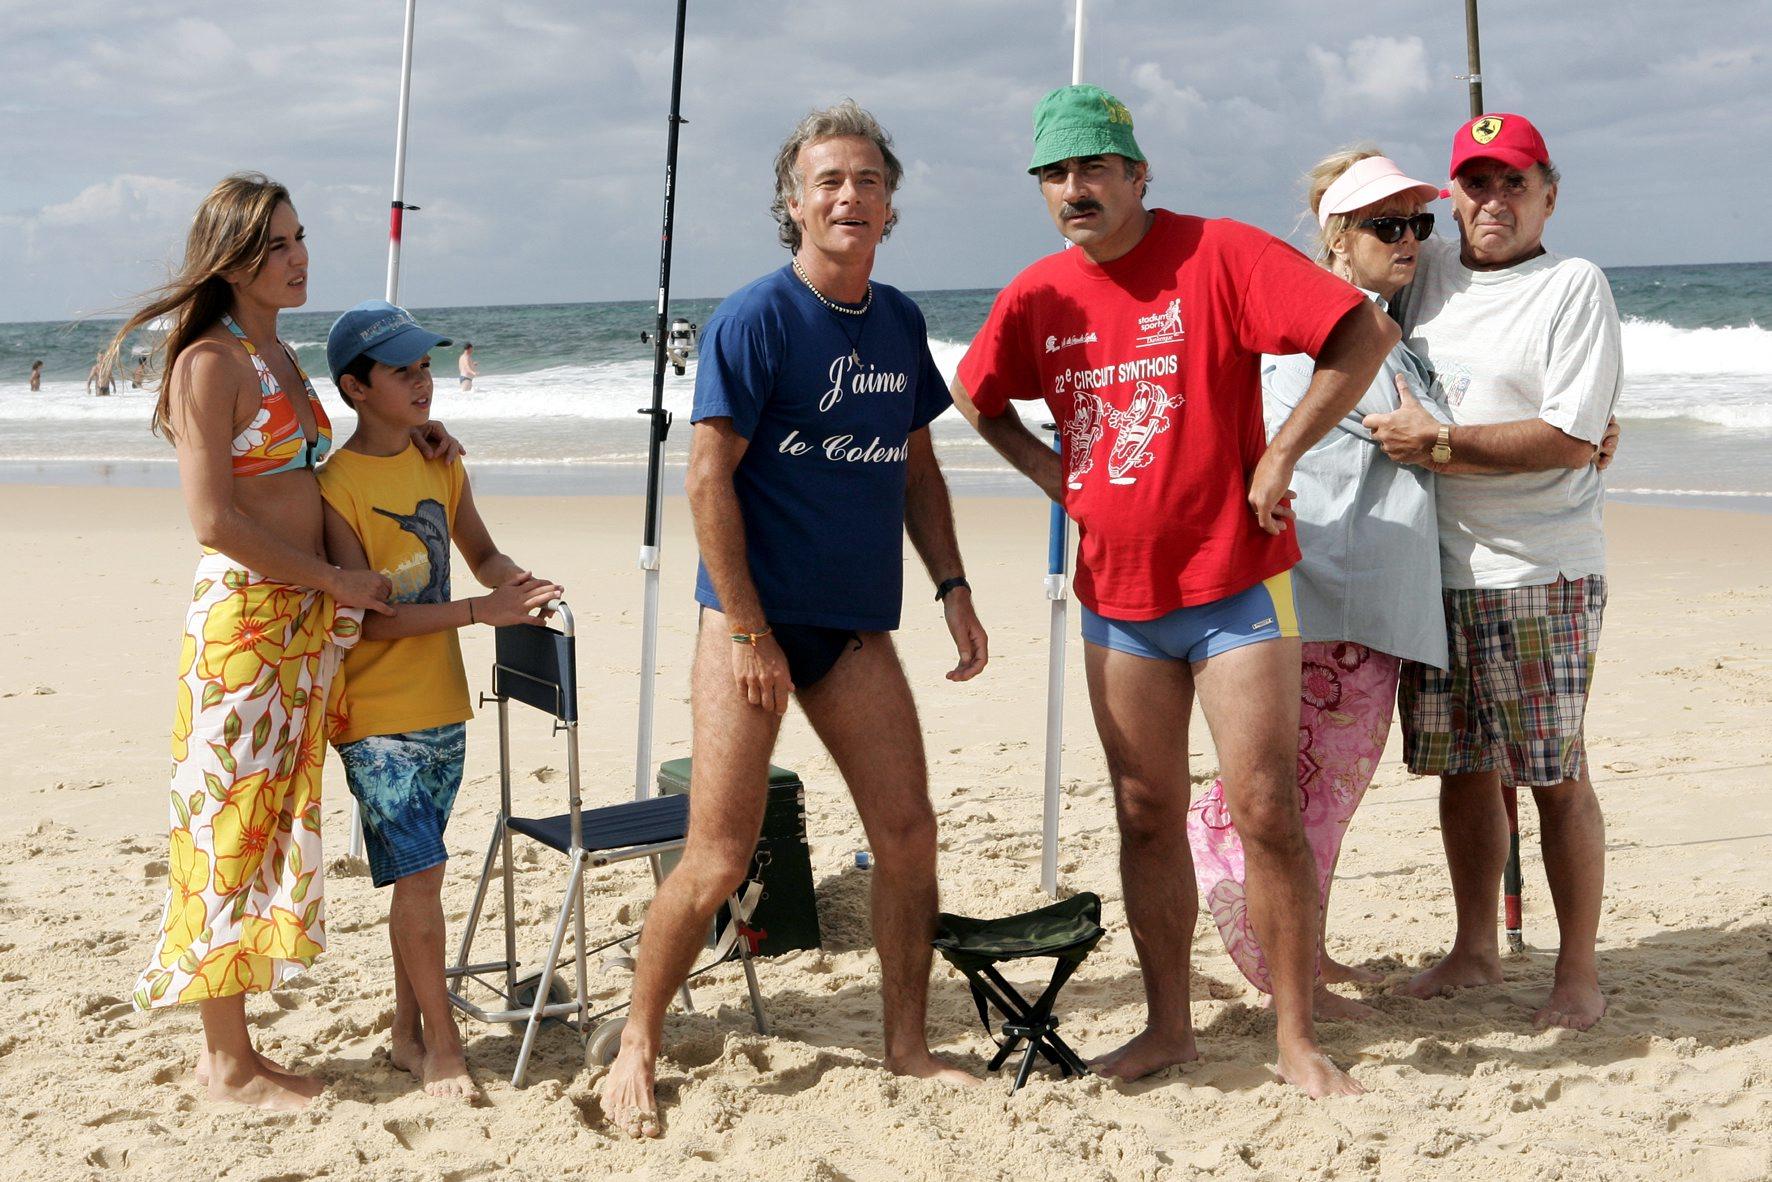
[1367,525]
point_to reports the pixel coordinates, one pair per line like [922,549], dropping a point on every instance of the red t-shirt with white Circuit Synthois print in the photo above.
[1151,366]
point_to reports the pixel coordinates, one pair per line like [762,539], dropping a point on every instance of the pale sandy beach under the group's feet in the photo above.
[1675,1082]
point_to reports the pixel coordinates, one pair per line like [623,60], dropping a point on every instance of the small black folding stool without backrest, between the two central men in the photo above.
[1066,931]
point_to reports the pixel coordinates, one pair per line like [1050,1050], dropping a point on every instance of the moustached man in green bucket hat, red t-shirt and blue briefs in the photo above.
[1146,346]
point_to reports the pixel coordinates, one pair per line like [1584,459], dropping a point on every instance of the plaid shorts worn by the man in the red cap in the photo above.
[1518,688]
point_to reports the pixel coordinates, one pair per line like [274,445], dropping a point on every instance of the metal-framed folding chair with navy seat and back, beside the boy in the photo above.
[538,667]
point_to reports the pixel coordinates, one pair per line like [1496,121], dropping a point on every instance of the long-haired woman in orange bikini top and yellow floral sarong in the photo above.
[263,635]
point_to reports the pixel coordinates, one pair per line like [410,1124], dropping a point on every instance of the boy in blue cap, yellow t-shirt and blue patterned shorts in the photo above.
[405,690]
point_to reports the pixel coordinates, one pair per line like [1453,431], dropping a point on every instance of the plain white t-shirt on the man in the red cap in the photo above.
[1532,341]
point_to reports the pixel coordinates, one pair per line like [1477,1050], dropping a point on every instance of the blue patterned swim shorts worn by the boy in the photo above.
[405,788]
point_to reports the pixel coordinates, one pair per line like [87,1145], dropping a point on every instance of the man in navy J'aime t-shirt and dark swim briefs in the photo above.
[809,465]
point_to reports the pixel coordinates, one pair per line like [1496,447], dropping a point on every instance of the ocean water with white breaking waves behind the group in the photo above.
[556,405]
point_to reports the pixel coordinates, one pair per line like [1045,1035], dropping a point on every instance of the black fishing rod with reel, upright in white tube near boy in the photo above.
[660,417]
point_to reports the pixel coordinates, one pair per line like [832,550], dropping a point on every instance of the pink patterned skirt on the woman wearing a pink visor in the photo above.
[1344,719]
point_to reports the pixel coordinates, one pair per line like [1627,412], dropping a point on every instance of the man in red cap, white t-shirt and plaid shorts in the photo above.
[1527,346]
